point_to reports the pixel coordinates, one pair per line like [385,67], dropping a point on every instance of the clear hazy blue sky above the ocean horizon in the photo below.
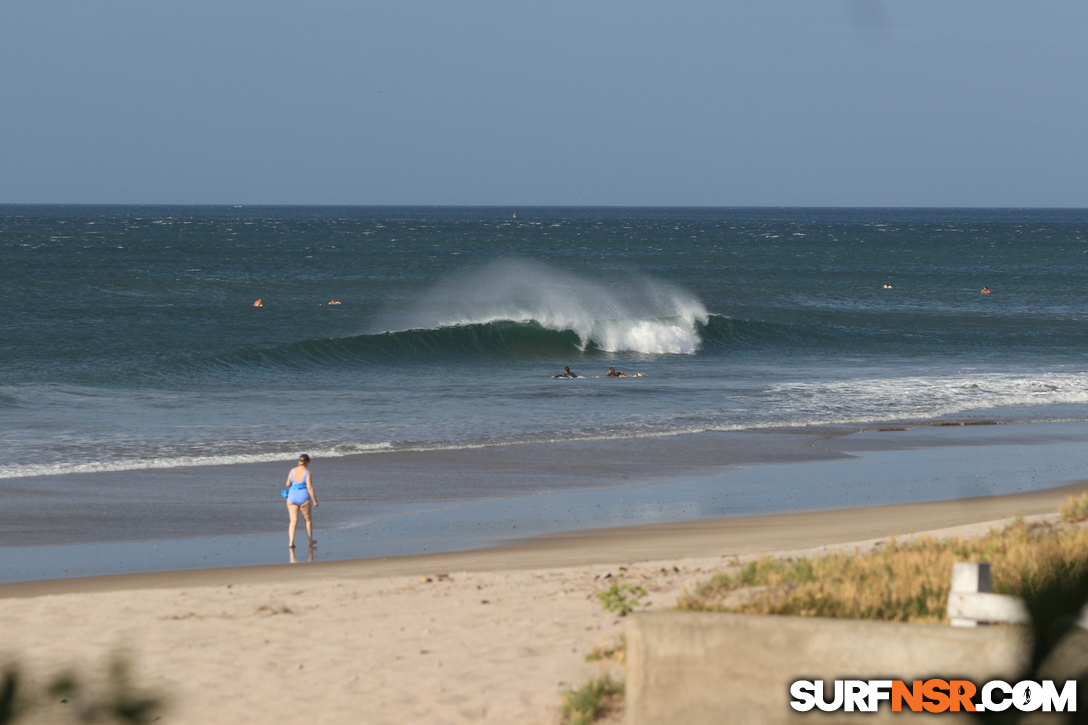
[806,103]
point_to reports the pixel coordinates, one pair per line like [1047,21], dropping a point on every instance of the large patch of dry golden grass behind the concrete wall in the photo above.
[900,582]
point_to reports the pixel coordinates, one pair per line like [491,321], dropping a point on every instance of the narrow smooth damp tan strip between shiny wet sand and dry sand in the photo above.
[696,539]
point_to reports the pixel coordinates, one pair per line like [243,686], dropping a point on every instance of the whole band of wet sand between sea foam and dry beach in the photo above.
[542,493]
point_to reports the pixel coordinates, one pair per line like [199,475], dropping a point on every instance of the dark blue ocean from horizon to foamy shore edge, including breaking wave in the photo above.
[129,338]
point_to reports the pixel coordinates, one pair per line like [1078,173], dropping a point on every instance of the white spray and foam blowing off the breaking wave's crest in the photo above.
[638,315]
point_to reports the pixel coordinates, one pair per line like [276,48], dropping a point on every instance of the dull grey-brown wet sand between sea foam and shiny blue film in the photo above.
[243,499]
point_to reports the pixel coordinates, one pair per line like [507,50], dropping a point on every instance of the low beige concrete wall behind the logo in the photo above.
[693,669]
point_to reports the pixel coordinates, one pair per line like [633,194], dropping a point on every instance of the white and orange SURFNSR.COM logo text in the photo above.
[934,696]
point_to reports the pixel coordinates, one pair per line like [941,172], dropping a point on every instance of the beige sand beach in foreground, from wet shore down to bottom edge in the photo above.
[476,637]
